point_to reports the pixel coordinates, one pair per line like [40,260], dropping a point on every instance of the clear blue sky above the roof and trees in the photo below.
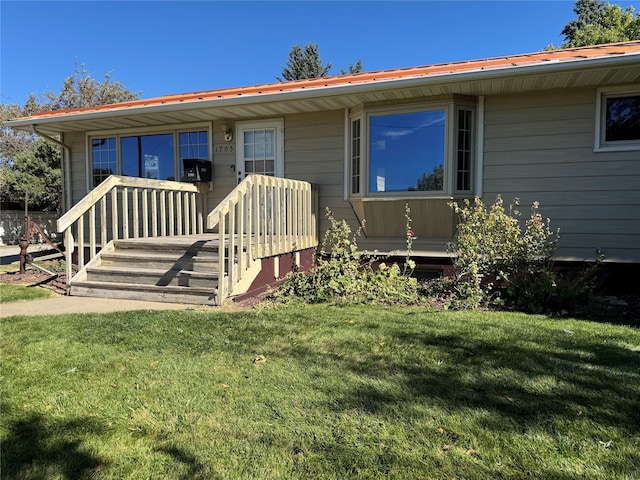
[163,47]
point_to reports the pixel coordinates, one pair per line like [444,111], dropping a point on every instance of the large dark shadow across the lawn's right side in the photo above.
[521,384]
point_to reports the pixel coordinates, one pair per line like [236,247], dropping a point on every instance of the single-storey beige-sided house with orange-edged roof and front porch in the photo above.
[561,127]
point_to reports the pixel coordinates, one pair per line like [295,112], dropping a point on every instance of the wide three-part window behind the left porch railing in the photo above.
[147,156]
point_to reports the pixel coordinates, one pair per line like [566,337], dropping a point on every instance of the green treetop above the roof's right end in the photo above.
[600,23]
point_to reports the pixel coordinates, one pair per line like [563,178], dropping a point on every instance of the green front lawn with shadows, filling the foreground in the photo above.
[345,392]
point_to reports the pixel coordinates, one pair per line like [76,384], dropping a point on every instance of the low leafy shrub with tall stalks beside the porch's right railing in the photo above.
[343,274]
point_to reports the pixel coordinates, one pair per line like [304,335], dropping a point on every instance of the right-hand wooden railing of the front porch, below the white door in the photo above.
[262,217]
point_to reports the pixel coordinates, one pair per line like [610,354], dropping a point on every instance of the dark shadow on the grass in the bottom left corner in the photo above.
[38,448]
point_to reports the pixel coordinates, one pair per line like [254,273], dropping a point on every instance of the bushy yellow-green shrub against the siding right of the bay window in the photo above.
[500,260]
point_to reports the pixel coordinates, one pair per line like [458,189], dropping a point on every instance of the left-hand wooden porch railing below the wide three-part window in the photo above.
[128,207]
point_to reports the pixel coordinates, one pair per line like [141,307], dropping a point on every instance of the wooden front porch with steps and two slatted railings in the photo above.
[134,238]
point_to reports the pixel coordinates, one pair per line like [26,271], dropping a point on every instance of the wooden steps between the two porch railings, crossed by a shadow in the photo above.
[166,269]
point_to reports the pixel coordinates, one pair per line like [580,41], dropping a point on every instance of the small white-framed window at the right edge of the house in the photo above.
[618,120]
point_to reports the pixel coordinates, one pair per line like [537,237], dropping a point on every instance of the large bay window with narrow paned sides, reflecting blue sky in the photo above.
[414,151]
